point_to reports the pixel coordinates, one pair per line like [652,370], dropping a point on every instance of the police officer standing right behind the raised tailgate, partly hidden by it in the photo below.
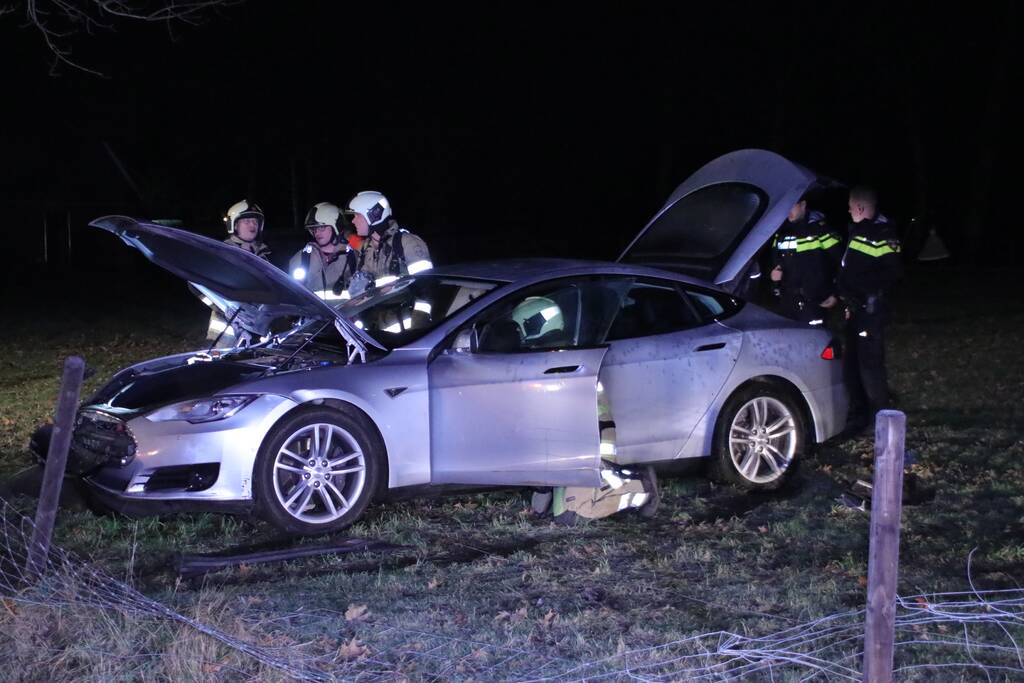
[804,258]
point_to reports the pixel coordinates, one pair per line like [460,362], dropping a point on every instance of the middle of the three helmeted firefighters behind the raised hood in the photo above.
[326,265]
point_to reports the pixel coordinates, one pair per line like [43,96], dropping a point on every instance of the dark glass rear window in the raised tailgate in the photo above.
[706,225]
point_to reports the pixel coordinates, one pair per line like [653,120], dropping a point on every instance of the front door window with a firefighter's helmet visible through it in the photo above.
[539,319]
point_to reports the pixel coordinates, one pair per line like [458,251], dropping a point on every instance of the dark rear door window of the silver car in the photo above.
[652,309]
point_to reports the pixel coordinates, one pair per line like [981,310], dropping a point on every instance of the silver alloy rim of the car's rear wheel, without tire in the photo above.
[763,440]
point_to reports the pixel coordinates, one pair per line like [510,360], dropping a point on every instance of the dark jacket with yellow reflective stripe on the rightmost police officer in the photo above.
[872,264]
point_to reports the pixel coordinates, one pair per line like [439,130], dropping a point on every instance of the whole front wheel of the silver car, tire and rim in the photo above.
[317,472]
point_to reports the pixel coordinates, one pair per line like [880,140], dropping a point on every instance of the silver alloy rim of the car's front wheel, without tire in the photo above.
[319,474]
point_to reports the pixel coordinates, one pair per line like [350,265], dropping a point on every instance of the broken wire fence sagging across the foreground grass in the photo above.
[949,635]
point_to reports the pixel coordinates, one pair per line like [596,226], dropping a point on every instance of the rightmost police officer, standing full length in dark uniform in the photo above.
[871,266]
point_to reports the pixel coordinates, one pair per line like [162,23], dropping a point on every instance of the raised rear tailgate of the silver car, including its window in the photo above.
[719,219]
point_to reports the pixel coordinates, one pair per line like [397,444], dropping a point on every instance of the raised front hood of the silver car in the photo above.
[248,288]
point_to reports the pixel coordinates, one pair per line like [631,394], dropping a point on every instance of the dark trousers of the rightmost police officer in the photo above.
[865,365]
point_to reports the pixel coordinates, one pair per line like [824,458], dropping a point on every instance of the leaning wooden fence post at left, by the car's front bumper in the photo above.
[54,472]
